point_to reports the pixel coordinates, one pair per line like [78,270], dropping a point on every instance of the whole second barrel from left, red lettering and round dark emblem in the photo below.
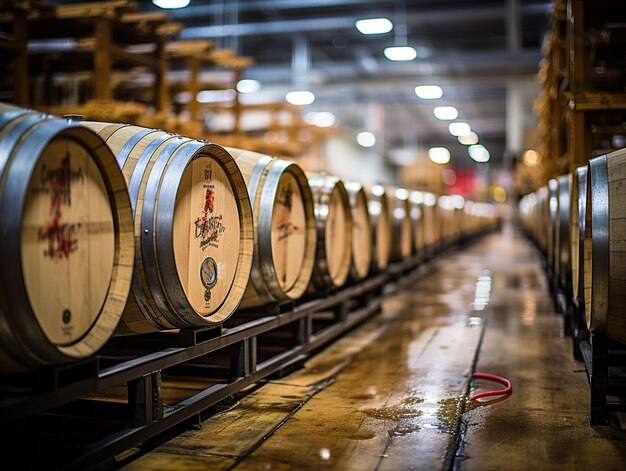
[193,228]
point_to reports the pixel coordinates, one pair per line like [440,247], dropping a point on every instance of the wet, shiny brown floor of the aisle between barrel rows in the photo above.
[392,395]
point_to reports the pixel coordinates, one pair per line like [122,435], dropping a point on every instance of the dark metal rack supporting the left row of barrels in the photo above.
[139,363]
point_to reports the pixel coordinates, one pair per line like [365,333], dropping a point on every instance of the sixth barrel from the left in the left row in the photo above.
[380,216]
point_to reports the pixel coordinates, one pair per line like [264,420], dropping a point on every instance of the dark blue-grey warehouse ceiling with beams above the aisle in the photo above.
[484,55]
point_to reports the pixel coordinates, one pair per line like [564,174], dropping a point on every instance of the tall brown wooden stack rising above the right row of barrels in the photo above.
[582,104]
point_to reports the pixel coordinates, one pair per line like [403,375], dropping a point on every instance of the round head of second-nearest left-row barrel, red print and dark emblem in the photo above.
[206,234]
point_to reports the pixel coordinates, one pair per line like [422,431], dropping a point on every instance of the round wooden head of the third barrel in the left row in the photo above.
[288,231]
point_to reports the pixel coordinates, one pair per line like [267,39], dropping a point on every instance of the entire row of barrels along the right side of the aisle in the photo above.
[578,221]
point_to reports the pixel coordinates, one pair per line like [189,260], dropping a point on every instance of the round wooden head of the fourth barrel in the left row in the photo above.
[335,234]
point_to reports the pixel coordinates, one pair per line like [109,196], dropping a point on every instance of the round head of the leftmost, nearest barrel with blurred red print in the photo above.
[67,241]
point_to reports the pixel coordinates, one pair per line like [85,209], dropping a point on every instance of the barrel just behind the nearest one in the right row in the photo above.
[578,203]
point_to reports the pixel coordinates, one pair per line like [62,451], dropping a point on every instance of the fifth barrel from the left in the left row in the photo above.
[362,249]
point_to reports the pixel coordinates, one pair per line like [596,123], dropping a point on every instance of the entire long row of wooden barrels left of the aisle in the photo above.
[113,229]
